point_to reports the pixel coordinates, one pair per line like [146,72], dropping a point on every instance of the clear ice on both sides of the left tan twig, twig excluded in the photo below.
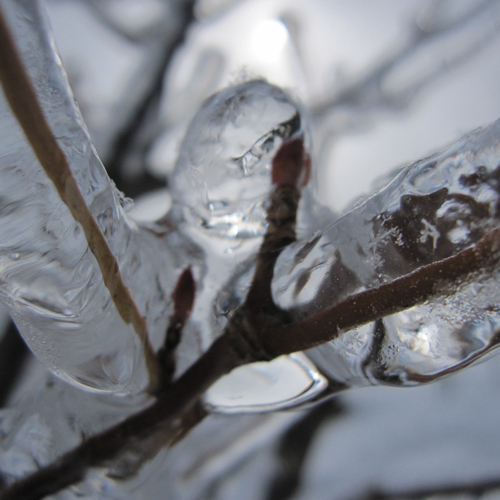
[49,279]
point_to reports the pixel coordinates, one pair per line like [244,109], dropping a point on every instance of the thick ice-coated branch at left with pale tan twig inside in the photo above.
[74,268]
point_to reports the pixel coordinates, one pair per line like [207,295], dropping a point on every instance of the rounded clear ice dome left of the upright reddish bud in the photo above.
[222,177]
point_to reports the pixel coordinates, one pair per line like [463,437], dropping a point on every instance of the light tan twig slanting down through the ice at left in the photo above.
[24,103]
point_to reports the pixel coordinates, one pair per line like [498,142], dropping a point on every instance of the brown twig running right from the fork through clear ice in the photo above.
[433,280]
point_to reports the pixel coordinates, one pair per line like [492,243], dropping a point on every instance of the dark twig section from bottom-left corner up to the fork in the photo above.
[172,404]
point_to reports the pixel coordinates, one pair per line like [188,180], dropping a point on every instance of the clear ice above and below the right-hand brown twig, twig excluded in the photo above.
[431,210]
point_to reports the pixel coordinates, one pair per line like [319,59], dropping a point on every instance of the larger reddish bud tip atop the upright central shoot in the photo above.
[291,164]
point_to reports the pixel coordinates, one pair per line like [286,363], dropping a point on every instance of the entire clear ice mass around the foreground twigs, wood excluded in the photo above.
[53,288]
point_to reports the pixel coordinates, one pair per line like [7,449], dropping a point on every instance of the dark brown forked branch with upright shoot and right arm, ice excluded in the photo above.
[256,333]
